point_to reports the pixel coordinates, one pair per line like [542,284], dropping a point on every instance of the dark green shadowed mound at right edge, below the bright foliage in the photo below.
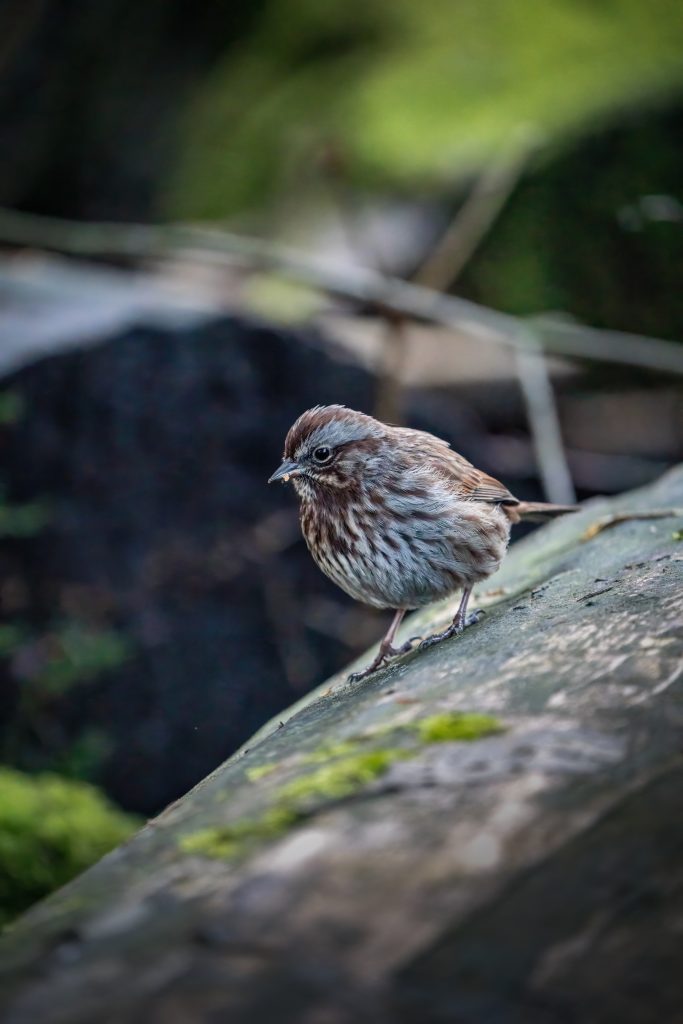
[581,234]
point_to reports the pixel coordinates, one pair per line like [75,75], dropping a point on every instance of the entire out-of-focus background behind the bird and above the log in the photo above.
[217,216]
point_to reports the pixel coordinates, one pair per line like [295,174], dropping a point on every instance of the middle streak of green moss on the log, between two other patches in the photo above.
[345,777]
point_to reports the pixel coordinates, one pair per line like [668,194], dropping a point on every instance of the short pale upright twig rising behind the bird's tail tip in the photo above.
[544,421]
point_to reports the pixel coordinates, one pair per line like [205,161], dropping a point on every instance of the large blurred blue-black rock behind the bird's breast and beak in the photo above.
[153,452]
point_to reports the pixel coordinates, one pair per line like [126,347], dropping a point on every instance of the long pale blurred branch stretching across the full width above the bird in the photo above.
[357,284]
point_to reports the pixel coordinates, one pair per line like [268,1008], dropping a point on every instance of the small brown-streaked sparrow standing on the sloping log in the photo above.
[397,519]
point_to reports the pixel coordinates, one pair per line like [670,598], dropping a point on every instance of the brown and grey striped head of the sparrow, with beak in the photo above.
[331,447]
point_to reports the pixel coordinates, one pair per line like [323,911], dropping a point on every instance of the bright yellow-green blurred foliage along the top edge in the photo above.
[411,94]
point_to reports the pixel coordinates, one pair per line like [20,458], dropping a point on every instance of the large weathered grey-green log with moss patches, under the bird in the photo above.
[489,831]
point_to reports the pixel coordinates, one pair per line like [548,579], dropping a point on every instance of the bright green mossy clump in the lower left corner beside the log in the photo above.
[51,830]
